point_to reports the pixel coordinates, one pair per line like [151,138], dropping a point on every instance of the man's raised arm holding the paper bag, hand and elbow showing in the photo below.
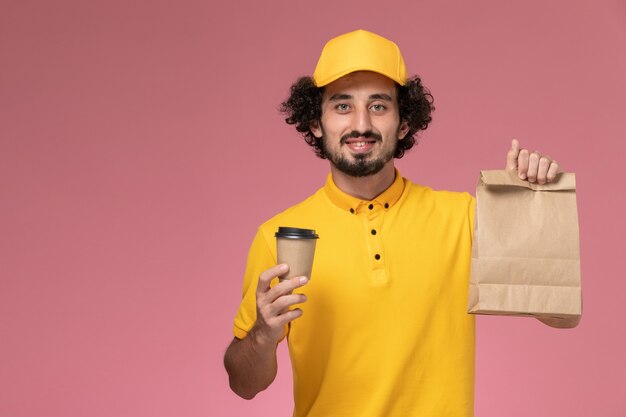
[542,169]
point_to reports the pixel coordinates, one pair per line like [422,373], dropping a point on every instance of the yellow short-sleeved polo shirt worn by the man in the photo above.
[378,337]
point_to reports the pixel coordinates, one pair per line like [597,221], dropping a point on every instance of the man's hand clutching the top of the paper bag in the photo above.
[531,166]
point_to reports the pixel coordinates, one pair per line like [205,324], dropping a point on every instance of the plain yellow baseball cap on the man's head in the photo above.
[359,51]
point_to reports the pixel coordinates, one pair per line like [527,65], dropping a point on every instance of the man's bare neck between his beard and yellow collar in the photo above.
[365,188]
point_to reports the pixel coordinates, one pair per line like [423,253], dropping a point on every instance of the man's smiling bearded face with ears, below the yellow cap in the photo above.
[360,123]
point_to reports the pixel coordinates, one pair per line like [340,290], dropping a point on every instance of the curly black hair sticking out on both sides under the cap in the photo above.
[304,106]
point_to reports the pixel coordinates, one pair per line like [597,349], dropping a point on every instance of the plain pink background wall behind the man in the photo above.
[140,147]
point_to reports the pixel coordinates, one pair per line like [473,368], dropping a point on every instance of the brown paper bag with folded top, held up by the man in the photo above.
[525,253]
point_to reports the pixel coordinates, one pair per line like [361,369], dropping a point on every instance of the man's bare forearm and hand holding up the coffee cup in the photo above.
[251,361]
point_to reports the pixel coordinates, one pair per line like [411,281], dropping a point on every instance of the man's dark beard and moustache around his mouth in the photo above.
[362,165]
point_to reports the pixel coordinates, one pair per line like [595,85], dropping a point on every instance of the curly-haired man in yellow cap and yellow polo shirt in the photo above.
[383,329]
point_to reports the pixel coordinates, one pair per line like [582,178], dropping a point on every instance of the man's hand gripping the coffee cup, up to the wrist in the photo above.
[273,304]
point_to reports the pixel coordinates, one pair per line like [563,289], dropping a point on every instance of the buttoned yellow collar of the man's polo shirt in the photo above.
[352,204]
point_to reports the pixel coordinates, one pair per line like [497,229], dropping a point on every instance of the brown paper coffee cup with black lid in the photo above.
[296,248]
